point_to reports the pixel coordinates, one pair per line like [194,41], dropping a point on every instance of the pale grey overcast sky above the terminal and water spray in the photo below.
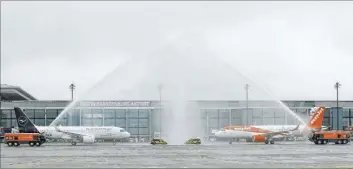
[296,50]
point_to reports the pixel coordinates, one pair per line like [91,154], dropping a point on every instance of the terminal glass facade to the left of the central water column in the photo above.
[135,121]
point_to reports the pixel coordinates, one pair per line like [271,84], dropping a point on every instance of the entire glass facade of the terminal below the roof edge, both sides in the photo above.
[143,122]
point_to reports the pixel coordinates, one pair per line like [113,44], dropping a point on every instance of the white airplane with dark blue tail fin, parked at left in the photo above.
[84,134]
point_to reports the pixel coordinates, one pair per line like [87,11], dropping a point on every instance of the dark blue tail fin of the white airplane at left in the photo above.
[25,125]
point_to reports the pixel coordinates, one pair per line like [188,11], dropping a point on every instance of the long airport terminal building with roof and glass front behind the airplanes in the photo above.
[142,118]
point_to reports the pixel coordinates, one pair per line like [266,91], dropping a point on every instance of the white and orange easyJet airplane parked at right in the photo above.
[267,133]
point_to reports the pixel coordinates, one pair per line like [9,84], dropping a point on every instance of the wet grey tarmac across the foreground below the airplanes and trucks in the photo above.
[213,155]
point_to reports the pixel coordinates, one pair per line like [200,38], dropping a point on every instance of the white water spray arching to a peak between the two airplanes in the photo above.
[180,72]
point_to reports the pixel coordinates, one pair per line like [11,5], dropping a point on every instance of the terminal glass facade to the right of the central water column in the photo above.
[218,118]
